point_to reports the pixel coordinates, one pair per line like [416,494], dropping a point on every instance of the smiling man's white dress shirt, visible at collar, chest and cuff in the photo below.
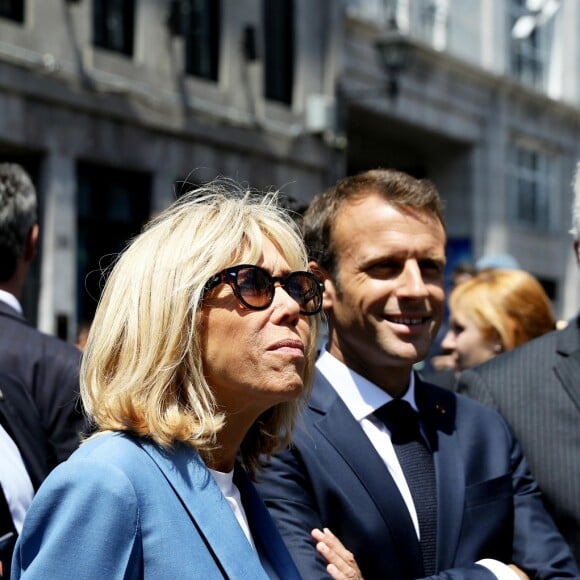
[363,398]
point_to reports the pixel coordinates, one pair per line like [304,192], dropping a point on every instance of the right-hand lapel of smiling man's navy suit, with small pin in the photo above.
[438,408]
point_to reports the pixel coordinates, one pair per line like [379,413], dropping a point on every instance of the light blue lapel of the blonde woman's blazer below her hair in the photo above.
[192,482]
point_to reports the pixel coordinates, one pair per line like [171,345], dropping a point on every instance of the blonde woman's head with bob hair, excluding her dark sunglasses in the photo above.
[171,362]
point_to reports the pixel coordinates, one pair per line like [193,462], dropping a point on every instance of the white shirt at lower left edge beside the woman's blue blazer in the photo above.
[14,478]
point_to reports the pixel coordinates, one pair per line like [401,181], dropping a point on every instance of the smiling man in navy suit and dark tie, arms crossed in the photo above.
[415,480]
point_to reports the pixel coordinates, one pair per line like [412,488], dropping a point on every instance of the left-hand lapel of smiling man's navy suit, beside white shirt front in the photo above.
[341,430]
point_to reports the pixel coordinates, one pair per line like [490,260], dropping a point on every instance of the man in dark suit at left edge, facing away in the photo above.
[46,366]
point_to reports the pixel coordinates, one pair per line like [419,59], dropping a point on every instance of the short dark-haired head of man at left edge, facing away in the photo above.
[18,226]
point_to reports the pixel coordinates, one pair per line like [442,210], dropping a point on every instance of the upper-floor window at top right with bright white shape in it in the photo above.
[531,39]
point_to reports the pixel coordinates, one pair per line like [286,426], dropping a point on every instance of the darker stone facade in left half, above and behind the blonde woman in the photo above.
[66,101]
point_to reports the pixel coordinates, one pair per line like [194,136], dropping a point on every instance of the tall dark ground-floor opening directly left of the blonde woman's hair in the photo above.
[113,205]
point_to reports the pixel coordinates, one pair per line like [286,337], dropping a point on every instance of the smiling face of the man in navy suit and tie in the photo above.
[386,302]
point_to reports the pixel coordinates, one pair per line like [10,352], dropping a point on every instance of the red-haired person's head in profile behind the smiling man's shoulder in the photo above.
[494,312]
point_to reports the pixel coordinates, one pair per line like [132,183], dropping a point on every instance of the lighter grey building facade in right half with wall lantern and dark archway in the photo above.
[457,117]
